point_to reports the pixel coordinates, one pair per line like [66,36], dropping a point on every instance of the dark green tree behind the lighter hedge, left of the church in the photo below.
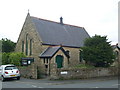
[8,45]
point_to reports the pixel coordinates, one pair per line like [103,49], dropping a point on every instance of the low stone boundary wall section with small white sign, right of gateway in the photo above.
[86,73]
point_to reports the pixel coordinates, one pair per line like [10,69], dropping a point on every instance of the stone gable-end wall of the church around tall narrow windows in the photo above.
[30,30]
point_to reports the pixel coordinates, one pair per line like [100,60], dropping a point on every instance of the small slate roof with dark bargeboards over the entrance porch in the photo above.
[51,51]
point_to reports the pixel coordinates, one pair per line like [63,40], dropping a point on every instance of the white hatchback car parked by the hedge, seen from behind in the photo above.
[9,71]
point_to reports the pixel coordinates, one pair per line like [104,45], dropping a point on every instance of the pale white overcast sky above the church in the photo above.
[96,16]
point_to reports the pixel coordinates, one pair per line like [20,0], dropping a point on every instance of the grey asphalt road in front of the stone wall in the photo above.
[44,83]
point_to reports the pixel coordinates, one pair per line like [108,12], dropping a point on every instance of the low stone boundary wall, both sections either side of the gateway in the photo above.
[70,73]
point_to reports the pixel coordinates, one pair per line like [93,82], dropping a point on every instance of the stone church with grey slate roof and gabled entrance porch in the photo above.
[51,44]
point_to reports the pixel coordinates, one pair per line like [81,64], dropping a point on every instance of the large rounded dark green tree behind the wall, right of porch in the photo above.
[98,51]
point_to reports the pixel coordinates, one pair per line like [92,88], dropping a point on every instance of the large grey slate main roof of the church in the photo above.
[54,33]
